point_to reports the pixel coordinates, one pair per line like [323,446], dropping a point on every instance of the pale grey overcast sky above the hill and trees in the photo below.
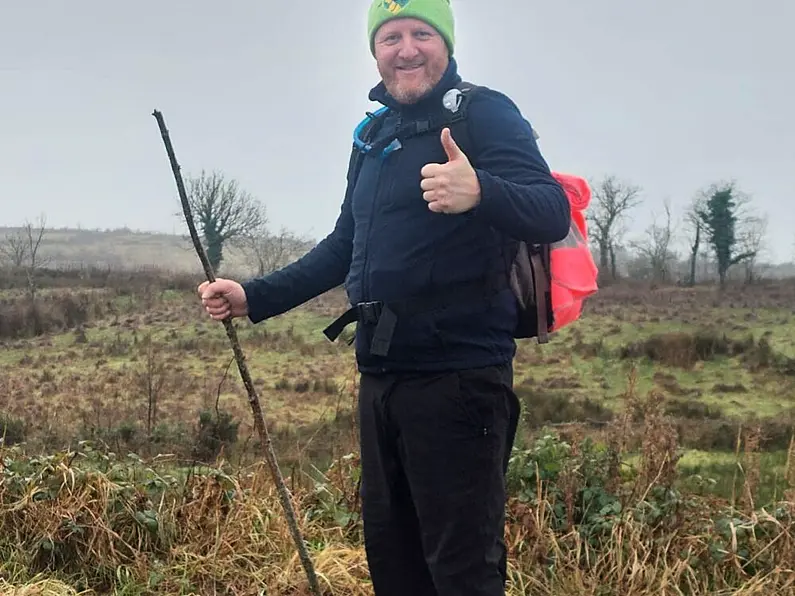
[667,95]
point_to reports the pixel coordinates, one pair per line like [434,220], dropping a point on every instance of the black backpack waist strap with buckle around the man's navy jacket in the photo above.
[385,315]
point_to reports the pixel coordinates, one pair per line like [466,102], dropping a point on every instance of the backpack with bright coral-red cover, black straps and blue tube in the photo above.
[549,281]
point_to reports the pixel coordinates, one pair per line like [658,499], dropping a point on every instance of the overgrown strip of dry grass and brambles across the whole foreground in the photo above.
[580,521]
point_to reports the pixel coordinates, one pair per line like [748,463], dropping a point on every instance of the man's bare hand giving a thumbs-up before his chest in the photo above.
[451,187]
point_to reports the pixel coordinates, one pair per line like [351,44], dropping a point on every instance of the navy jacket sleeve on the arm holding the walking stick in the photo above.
[323,268]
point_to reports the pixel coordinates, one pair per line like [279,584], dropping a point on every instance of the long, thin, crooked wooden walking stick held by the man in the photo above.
[253,400]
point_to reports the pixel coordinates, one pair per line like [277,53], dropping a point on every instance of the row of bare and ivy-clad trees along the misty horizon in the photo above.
[719,229]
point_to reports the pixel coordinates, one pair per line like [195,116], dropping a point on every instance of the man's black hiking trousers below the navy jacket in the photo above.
[434,452]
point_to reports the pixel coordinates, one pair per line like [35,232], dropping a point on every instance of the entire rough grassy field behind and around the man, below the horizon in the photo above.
[654,454]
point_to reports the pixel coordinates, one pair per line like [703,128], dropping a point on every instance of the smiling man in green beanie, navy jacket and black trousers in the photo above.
[436,405]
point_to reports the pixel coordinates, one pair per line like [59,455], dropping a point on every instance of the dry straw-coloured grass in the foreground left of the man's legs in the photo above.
[214,531]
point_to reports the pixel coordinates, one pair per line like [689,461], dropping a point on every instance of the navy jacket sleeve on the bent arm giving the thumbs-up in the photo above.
[519,195]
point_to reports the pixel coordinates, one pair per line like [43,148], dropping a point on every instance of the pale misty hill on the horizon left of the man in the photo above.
[124,248]
